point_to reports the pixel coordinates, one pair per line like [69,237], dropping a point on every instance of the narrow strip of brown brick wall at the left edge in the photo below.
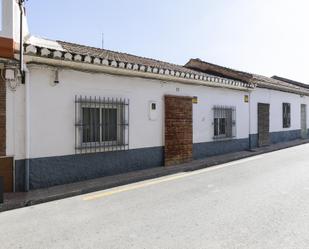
[2,117]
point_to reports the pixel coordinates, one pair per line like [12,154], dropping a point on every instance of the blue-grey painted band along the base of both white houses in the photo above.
[50,171]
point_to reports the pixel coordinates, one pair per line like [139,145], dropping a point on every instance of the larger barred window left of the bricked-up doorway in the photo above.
[101,124]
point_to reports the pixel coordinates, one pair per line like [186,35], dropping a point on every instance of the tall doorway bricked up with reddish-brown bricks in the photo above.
[178,129]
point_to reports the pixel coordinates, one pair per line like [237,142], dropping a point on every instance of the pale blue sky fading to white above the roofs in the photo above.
[261,36]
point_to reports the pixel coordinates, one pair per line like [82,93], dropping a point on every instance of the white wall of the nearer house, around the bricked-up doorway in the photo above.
[52,109]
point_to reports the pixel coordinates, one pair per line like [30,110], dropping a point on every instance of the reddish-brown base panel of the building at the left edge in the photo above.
[6,171]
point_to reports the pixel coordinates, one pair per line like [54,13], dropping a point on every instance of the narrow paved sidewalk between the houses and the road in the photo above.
[19,200]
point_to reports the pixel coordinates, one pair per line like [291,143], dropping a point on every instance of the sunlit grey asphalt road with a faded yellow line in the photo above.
[260,202]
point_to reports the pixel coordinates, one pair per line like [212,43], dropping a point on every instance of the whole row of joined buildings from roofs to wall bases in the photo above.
[80,112]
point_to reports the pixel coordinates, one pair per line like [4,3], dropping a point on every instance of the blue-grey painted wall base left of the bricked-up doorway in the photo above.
[50,171]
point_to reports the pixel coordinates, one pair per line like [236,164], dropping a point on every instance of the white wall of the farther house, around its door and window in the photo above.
[275,99]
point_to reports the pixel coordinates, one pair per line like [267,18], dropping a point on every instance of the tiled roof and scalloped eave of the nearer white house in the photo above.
[38,44]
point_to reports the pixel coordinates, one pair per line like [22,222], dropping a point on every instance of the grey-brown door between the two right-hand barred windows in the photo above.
[263,124]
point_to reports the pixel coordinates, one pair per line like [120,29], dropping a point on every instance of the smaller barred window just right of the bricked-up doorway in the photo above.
[224,122]
